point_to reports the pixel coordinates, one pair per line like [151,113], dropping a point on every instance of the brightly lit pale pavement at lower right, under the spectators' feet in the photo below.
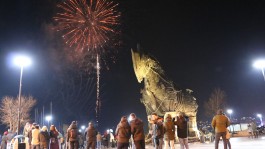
[237,143]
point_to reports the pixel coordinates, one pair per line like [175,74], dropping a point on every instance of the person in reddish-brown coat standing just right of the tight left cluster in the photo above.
[72,136]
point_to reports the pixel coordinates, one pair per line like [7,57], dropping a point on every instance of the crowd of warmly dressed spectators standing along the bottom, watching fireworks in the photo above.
[129,134]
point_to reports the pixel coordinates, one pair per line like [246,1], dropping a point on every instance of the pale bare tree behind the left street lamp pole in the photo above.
[9,111]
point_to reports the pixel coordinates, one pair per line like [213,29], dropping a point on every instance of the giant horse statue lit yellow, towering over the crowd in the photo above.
[159,94]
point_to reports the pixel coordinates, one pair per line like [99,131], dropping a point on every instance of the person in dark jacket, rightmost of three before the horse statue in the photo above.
[182,130]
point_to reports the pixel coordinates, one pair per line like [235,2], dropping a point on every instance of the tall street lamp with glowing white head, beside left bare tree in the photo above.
[21,61]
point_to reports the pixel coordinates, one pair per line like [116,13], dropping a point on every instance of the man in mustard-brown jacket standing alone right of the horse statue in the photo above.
[219,123]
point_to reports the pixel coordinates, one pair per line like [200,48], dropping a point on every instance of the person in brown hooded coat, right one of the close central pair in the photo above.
[137,130]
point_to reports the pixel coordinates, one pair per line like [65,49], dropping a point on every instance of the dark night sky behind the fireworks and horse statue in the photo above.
[201,45]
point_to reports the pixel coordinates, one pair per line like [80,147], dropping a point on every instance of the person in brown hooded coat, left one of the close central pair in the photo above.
[123,133]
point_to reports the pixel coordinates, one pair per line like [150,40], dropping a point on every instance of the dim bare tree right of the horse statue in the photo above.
[215,102]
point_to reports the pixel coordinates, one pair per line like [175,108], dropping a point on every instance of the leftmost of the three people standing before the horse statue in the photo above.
[158,130]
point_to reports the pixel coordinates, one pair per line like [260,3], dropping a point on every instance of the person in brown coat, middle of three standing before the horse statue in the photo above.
[169,132]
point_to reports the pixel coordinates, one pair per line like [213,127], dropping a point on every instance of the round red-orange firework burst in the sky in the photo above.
[87,24]
